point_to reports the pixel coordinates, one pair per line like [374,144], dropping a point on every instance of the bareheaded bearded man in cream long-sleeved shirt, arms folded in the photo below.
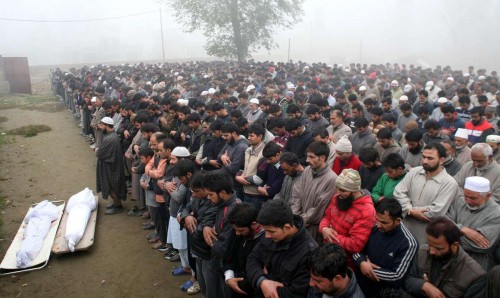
[426,192]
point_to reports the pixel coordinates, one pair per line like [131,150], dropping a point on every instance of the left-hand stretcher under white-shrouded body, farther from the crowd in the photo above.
[9,263]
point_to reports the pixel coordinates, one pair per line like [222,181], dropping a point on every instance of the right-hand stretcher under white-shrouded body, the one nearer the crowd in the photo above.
[60,246]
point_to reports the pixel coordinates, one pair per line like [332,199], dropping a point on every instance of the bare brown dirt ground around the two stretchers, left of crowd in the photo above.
[55,165]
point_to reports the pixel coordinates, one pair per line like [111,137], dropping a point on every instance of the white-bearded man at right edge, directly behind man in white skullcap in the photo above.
[483,165]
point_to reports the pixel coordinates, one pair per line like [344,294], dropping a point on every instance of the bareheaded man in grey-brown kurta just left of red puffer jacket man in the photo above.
[313,190]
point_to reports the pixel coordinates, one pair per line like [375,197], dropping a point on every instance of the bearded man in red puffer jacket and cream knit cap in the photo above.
[350,216]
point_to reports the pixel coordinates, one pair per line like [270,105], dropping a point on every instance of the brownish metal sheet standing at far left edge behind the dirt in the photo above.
[17,73]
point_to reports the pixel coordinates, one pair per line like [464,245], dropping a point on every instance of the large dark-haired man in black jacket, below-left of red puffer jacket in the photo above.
[277,266]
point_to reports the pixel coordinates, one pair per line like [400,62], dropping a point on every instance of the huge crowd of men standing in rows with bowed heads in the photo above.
[302,180]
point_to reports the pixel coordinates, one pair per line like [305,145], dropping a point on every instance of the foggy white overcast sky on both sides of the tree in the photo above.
[424,32]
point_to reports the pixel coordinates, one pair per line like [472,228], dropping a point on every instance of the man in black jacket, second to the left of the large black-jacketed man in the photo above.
[220,237]
